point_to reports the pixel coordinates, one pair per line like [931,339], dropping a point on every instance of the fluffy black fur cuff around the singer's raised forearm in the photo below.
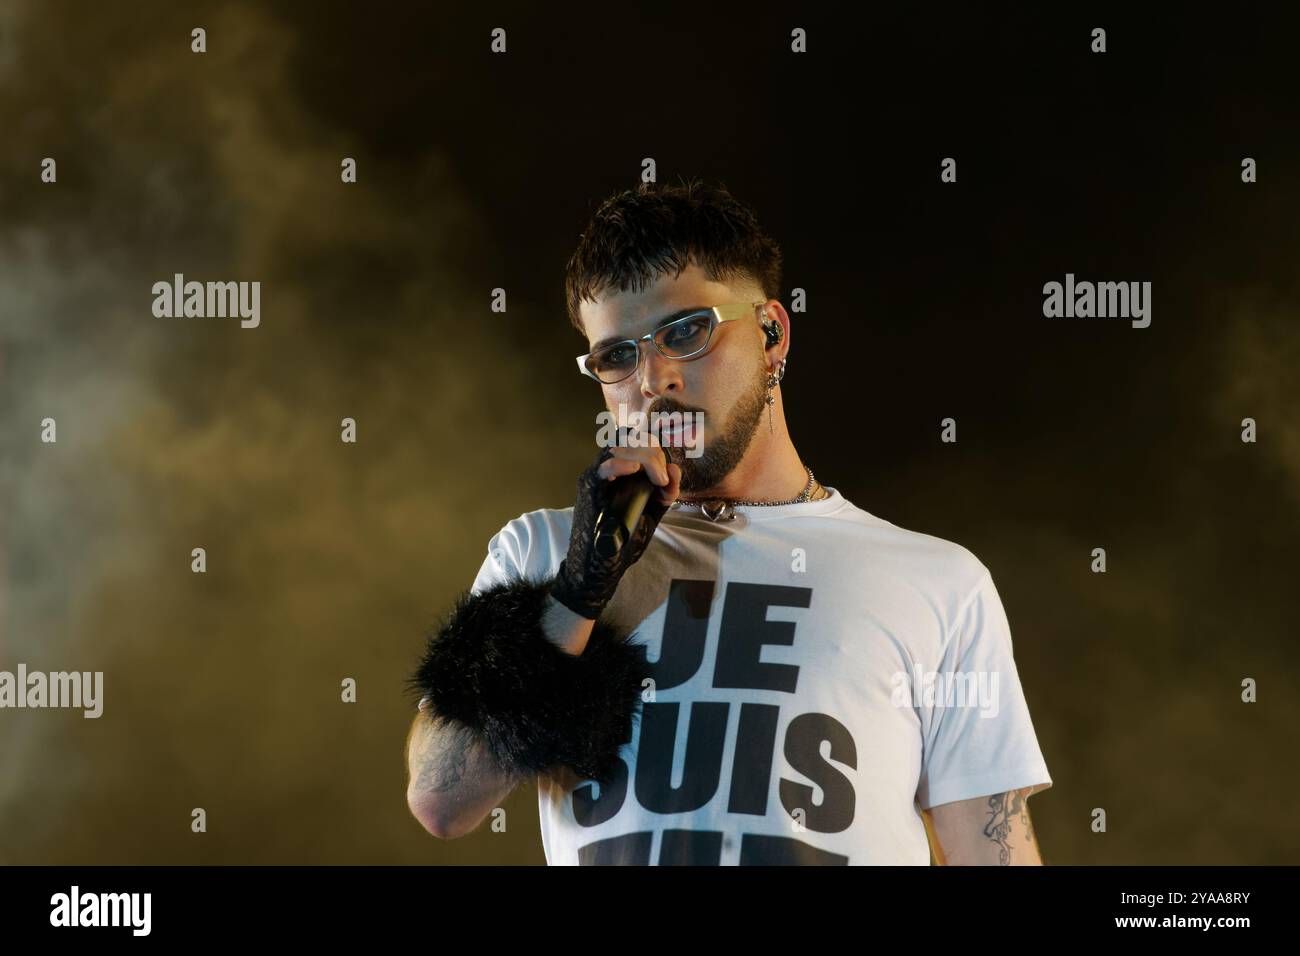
[492,669]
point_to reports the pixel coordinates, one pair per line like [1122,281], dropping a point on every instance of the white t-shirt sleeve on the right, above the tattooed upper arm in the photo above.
[981,739]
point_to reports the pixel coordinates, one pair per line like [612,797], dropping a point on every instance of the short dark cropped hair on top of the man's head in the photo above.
[649,231]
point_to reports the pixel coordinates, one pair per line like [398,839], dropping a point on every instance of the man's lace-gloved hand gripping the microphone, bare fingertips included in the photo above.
[621,500]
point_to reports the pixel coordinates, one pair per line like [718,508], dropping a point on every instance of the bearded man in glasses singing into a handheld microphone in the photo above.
[764,673]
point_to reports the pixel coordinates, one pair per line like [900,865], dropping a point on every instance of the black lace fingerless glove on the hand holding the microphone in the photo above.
[586,582]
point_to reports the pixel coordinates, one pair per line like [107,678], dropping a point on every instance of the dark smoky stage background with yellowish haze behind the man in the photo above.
[479,171]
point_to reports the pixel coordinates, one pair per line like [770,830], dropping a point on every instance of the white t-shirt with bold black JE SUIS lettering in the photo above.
[821,676]
